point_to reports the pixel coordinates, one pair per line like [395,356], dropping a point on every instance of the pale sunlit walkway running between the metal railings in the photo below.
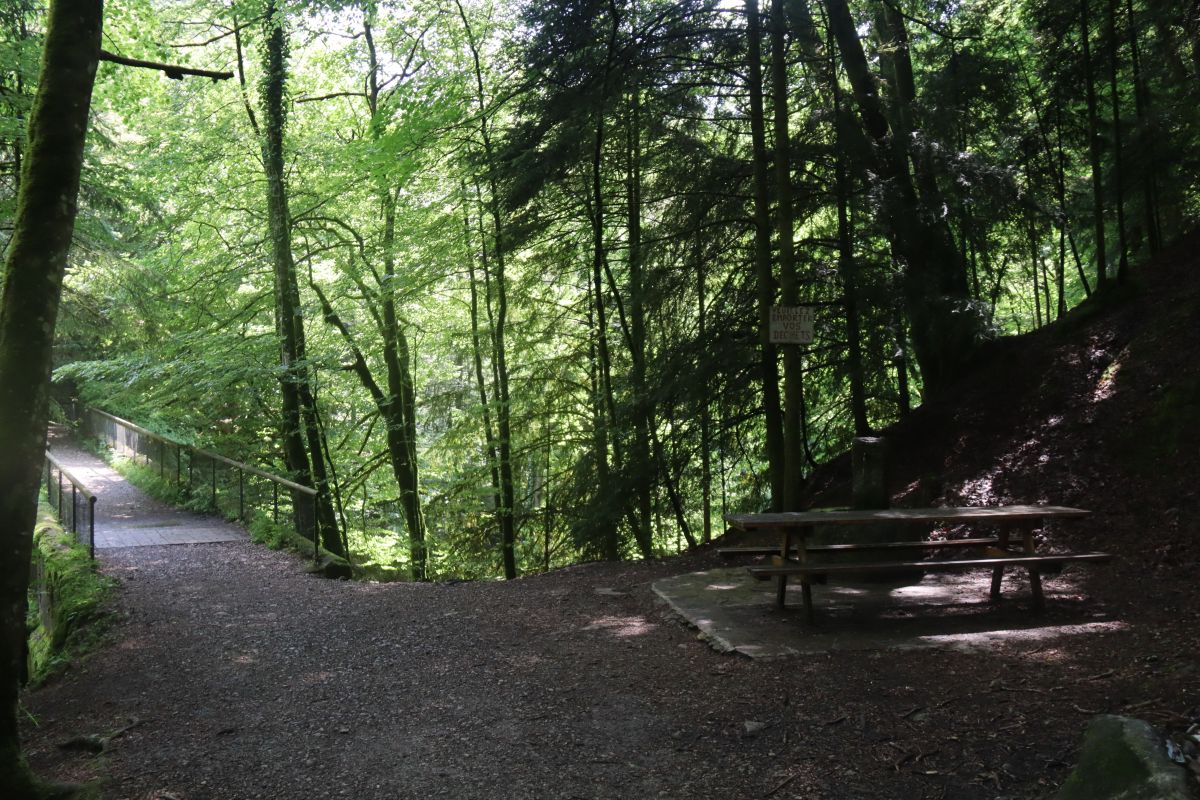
[129,518]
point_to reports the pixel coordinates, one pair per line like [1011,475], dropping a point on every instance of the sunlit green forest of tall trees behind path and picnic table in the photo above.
[496,279]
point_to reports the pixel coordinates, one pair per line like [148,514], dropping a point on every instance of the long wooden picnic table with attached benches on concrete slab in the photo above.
[795,555]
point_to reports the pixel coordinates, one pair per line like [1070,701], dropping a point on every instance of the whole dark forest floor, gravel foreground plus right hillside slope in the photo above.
[244,678]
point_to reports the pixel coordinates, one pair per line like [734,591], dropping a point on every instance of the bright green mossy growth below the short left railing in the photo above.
[70,609]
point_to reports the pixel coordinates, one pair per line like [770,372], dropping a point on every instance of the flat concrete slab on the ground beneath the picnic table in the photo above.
[737,613]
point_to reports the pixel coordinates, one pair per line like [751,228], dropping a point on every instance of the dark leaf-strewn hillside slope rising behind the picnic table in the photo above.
[1099,411]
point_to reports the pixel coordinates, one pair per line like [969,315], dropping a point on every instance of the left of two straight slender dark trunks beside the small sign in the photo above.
[773,417]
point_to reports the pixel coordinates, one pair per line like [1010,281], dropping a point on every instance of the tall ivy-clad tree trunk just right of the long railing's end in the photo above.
[299,423]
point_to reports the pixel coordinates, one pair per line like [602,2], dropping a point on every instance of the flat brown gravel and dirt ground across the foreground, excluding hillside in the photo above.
[244,678]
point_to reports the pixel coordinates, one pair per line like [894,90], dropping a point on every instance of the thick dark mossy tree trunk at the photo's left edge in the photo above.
[34,270]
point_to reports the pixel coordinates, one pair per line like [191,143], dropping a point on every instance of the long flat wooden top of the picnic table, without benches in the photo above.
[863,516]
